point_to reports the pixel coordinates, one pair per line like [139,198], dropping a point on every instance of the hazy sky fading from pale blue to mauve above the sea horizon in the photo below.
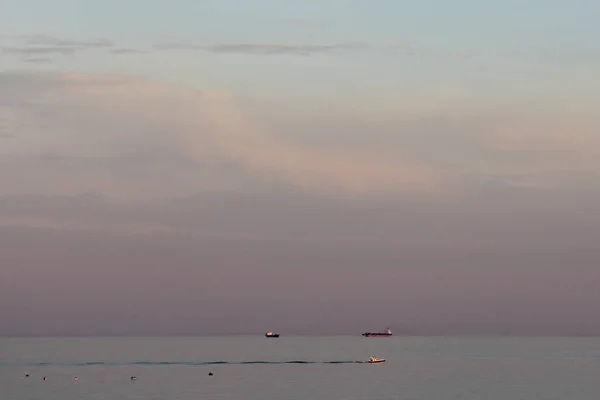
[309,167]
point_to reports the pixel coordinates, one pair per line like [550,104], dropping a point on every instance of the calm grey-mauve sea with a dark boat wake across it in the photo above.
[290,368]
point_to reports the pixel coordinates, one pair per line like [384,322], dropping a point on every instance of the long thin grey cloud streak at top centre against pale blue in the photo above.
[263,49]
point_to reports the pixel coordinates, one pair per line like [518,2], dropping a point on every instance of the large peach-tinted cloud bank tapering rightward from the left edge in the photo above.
[126,114]
